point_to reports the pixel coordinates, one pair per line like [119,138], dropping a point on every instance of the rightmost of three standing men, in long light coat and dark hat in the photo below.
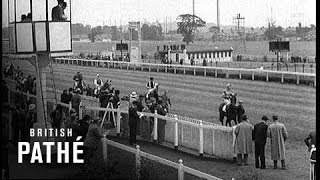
[278,134]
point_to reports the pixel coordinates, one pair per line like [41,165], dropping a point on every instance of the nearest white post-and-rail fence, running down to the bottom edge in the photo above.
[138,154]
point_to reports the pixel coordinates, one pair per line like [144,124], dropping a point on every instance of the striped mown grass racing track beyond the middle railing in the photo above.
[199,97]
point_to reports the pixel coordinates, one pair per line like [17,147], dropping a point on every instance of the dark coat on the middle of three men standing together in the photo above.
[259,133]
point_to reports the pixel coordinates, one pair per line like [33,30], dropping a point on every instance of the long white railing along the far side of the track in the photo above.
[203,70]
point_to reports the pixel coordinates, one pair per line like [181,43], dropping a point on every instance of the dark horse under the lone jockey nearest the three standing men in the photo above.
[231,111]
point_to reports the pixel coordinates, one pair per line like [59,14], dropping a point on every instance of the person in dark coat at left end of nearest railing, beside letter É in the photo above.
[91,141]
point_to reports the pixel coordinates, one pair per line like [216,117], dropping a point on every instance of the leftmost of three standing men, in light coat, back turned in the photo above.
[243,142]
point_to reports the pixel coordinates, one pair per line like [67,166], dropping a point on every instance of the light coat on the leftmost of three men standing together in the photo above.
[243,142]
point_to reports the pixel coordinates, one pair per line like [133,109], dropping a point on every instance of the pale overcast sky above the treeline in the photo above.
[256,12]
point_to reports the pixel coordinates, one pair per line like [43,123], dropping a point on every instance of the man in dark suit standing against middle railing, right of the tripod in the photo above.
[133,120]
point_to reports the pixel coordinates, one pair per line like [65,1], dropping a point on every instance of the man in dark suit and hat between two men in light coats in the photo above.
[259,136]
